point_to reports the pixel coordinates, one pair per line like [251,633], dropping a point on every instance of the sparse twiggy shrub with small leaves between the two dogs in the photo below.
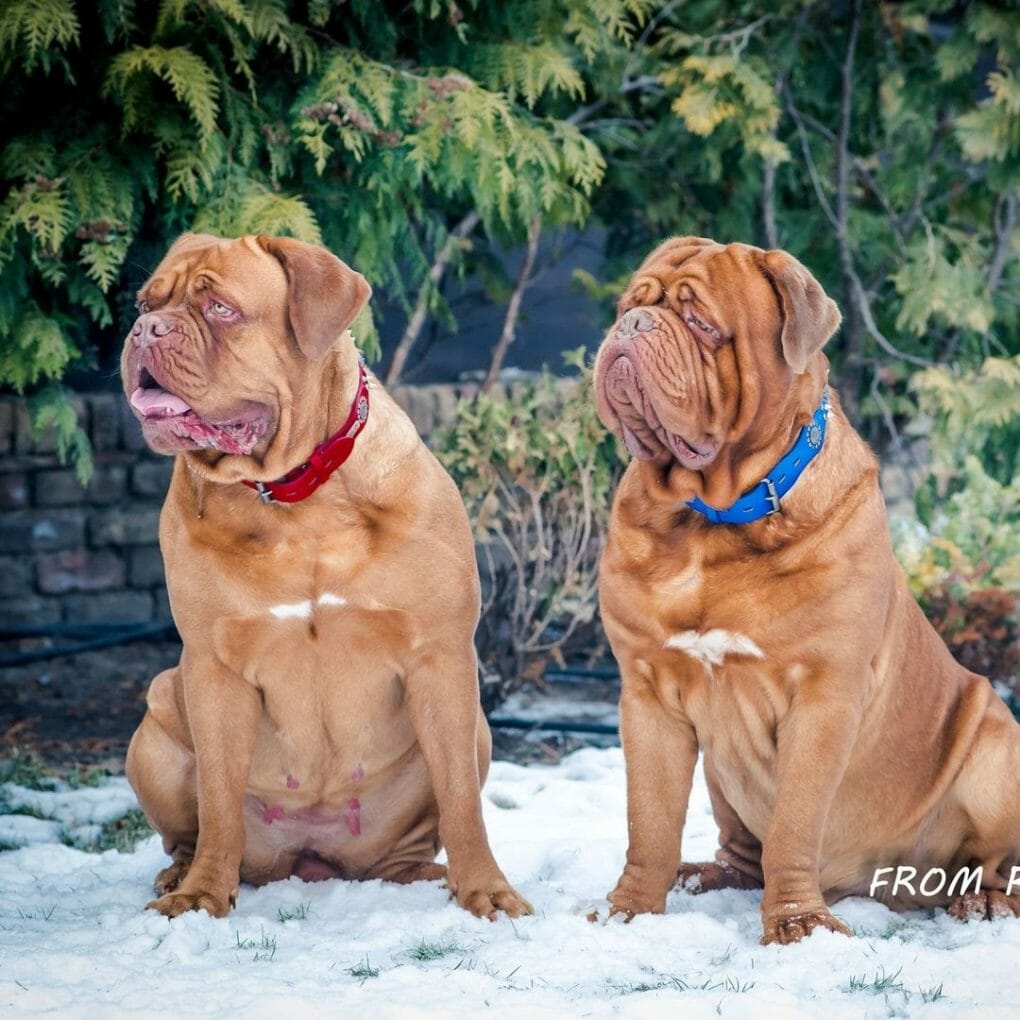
[537,471]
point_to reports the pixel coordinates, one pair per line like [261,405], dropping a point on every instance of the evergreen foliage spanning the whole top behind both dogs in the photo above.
[881,143]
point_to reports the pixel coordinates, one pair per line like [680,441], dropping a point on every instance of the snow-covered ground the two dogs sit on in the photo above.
[76,943]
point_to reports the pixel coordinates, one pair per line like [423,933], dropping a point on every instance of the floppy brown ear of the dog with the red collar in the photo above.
[324,295]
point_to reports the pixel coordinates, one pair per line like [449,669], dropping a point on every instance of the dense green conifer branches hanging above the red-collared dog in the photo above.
[370,127]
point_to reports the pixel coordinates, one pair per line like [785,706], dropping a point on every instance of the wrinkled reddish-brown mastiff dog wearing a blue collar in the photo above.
[771,627]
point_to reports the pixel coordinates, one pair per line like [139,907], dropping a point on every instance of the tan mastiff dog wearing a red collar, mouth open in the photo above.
[325,719]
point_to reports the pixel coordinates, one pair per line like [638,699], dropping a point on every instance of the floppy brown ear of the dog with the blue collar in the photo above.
[810,317]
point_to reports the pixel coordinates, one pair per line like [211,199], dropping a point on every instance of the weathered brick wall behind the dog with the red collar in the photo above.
[70,554]
